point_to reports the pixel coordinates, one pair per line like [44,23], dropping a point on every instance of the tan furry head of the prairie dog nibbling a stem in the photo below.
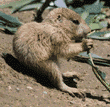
[69,21]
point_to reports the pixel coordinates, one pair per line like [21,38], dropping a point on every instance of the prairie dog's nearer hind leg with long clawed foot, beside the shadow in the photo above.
[51,70]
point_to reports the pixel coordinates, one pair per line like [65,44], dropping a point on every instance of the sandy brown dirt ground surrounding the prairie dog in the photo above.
[18,89]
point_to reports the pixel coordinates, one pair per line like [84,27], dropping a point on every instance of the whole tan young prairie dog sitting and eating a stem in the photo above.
[40,45]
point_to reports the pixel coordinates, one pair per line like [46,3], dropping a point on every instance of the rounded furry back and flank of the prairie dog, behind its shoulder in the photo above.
[32,42]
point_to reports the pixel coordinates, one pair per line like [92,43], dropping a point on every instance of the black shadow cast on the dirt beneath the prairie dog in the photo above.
[42,79]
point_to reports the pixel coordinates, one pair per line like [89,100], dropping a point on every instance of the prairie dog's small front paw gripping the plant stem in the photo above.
[87,44]
